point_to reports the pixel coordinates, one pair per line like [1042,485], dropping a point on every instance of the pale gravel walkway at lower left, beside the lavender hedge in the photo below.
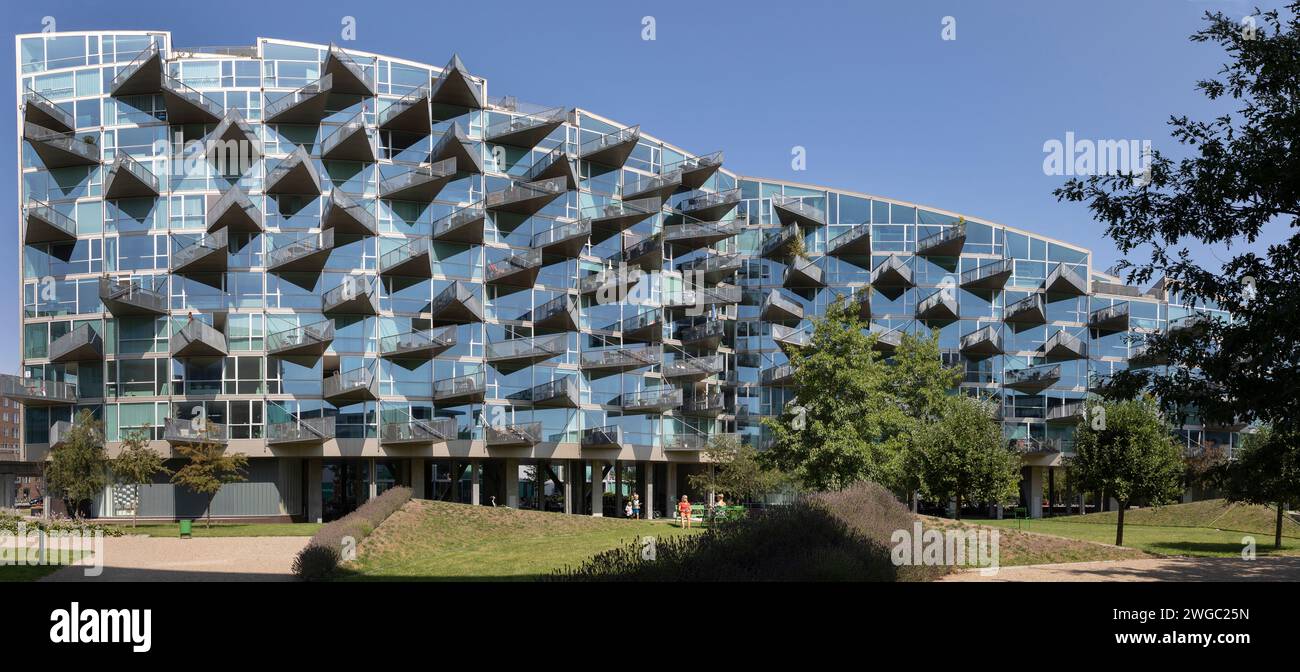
[198,560]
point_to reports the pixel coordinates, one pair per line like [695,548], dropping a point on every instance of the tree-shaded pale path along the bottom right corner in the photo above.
[1286,569]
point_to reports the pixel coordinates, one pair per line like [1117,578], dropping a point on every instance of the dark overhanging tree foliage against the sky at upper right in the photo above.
[1237,176]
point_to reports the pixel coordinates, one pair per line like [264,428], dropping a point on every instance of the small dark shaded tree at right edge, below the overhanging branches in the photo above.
[1266,471]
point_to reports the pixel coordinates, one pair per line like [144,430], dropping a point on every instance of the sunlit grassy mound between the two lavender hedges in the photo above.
[444,541]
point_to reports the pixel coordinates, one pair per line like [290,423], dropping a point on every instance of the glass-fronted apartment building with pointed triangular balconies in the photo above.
[363,271]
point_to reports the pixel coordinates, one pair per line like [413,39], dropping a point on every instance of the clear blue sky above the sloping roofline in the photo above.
[874,94]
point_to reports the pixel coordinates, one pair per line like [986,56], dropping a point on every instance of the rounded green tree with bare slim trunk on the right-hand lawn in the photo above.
[1128,450]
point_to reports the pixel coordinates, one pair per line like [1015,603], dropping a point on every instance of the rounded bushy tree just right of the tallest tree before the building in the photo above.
[961,456]
